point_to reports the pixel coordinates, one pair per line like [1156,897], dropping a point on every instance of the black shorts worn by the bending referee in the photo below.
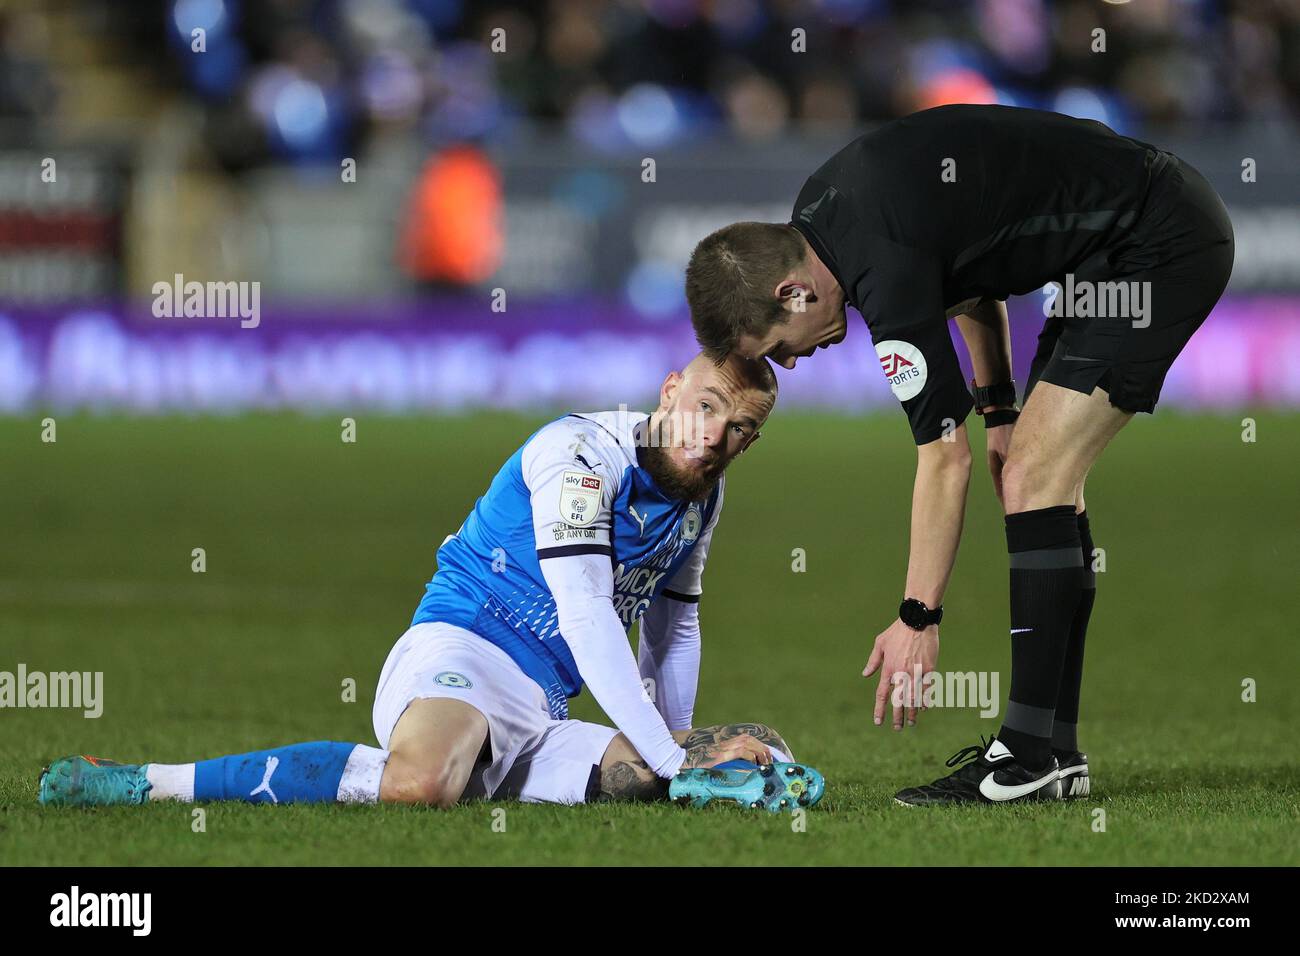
[1182,245]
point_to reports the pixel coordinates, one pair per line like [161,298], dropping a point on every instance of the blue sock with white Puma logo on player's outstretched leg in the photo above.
[300,773]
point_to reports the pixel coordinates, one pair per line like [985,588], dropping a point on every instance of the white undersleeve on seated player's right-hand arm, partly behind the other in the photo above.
[669,656]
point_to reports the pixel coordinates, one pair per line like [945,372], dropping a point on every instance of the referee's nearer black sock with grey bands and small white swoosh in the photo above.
[1047,581]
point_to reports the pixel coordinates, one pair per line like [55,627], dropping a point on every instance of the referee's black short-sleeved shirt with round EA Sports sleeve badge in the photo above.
[964,204]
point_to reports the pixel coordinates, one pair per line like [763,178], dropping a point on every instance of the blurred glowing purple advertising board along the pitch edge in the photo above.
[454,354]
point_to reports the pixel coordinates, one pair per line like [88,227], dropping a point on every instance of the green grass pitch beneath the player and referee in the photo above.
[318,552]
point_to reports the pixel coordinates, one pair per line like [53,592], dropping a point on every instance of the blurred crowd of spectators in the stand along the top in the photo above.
[314,80]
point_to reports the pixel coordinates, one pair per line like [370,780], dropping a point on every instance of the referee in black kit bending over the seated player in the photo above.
[943,215]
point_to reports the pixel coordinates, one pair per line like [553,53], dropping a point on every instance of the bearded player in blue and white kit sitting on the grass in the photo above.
[597,522]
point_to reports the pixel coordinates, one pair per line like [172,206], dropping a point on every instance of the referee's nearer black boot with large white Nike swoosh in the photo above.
[993,777]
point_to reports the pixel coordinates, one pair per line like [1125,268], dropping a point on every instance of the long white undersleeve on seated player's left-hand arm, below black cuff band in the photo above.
[583,586]
